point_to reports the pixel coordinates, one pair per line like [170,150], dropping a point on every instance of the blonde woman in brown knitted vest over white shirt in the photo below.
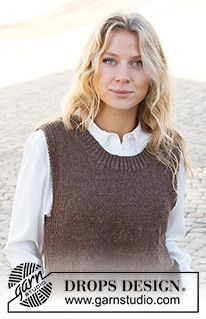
[108,175]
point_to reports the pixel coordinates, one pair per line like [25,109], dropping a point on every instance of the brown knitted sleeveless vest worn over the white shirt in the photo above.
[109,212]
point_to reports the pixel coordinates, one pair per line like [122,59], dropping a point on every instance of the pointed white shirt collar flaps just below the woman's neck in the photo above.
[102,136]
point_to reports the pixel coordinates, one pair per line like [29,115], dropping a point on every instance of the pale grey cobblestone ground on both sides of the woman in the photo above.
[24,105]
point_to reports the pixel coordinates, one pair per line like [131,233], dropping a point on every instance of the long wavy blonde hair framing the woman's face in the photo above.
[154,113]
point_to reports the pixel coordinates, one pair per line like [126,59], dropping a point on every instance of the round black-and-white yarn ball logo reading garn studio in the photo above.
[29,284]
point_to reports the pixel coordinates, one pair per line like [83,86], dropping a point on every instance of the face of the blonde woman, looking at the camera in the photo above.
[121,82]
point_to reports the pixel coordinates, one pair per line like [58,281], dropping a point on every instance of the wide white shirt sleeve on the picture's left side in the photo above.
[32,201]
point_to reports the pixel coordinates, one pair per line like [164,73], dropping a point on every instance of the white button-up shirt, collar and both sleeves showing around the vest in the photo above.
[33,196]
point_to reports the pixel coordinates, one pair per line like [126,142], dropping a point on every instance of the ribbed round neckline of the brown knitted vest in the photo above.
[107,160]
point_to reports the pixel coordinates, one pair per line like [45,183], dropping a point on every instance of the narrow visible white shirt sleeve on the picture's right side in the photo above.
[176,226]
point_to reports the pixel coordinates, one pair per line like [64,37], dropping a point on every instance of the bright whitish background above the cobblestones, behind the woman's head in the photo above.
[51,42]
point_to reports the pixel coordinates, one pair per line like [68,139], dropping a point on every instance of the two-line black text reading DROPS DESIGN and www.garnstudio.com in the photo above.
[124,286]
